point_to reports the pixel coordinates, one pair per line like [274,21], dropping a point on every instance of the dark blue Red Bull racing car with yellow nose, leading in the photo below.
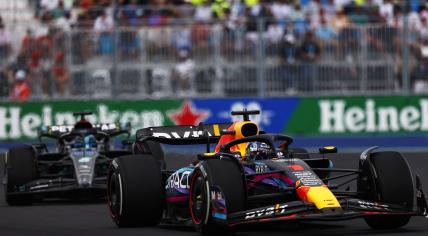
[254,177]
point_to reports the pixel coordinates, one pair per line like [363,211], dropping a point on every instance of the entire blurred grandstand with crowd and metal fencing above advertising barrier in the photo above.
[92,49]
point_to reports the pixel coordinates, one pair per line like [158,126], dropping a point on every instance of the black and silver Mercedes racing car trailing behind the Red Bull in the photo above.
[77,168]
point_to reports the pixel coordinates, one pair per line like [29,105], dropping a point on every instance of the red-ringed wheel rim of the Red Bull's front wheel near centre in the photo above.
[198,198]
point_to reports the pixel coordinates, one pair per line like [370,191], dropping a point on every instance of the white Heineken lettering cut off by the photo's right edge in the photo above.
[337,117]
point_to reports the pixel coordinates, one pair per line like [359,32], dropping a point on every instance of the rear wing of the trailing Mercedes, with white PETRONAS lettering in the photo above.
[112,129]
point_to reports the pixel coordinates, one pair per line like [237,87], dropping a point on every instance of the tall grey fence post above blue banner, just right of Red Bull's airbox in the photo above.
[261,59]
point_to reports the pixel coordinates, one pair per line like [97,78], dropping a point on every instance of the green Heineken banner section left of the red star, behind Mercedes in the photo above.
[21,120]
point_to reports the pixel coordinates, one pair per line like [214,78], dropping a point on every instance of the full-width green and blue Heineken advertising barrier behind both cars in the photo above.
[332,117]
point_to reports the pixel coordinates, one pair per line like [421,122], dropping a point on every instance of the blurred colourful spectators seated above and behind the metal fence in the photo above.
[298,31]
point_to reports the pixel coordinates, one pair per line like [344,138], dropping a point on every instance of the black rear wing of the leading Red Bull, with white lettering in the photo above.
[183,134]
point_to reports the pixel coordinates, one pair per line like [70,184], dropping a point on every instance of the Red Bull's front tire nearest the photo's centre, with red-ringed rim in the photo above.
[213,173]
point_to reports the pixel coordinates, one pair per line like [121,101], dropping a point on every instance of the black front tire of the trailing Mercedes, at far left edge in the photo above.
[21,168]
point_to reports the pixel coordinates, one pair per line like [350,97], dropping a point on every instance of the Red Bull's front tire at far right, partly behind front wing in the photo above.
[388,180]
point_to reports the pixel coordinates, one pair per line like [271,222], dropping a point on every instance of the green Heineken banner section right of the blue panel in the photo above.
[359,115]
